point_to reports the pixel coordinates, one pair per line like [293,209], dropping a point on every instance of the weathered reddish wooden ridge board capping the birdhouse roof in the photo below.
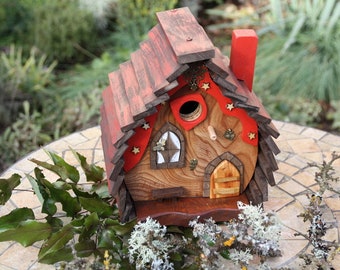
[187,38]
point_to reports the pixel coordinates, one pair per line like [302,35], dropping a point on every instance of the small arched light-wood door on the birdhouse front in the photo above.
[225,180]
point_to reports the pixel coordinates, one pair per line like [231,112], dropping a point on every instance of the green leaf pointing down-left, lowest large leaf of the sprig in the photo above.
[51,249]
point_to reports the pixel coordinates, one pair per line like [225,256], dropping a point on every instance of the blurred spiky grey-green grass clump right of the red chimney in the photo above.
[303,57]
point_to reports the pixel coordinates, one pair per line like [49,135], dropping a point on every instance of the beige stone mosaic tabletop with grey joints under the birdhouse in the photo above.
[299,146]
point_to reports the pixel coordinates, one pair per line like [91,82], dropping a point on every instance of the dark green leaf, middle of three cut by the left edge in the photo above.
[14,218]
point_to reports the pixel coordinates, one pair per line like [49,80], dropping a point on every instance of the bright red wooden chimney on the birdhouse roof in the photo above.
[243,55]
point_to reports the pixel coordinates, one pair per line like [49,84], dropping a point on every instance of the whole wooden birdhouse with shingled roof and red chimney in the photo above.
[183,133]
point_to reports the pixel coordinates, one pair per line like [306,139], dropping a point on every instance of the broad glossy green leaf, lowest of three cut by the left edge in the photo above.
[27,233]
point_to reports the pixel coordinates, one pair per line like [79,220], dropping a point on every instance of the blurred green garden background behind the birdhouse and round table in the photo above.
[55,57]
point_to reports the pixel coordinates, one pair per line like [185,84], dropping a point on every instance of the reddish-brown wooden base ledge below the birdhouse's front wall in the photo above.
[179,211]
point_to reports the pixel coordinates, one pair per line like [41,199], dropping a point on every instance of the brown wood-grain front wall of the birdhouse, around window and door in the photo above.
[141,180]
